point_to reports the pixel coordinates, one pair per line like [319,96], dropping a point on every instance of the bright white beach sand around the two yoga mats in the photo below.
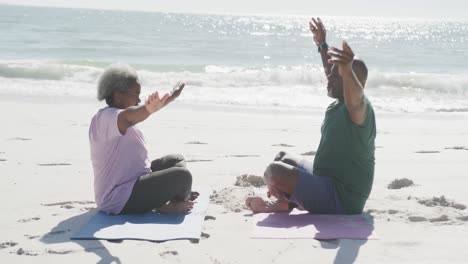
[47,185]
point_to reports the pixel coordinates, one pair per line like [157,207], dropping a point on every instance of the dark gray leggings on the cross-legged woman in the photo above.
[169,180]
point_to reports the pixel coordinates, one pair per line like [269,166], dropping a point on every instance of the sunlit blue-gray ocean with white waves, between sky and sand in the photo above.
[263,61]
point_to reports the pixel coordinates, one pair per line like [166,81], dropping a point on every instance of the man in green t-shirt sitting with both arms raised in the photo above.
[339,180]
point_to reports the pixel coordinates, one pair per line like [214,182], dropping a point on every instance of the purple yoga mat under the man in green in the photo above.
[300,224]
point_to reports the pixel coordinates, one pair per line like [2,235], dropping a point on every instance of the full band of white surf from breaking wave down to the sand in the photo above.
[301,86]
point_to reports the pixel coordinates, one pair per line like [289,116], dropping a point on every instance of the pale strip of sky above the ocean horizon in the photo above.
[456,9]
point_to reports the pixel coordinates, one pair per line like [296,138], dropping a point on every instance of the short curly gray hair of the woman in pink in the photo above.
[116,78]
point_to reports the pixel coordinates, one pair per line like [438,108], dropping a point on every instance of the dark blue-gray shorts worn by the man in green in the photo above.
[314,193]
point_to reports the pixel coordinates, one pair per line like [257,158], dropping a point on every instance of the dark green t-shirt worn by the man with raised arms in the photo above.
[346,154]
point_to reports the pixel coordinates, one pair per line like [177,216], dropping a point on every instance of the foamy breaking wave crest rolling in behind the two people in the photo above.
[239,77]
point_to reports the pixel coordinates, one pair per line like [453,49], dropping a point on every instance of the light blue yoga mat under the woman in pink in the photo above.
[150,226]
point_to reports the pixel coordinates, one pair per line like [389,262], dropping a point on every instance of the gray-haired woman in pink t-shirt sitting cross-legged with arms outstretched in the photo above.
[125,182]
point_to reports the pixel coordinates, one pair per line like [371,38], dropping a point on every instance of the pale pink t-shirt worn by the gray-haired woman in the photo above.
[118,160]
